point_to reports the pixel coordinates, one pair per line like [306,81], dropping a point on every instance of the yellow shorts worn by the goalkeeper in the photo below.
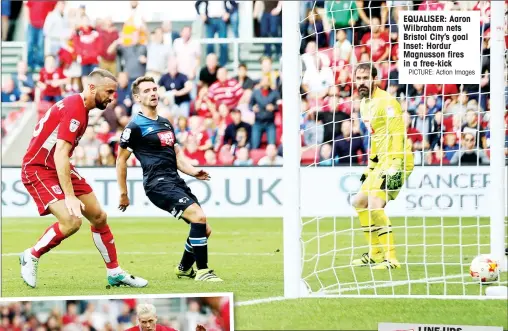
[375,184]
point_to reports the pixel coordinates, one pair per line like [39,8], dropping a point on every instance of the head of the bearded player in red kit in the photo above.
[99,90]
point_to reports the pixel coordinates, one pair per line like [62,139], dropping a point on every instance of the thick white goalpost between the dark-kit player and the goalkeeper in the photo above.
[291,69]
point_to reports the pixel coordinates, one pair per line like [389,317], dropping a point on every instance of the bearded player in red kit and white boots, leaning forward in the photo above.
[58,189]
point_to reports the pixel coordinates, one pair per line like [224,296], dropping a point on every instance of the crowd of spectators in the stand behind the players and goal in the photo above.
[227,118]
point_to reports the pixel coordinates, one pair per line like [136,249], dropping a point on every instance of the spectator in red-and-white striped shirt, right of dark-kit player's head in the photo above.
[225,90]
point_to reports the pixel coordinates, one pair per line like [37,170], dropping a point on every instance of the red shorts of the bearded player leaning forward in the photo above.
[44,187]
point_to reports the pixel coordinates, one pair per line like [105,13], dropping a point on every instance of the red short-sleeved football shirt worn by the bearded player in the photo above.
[66,120]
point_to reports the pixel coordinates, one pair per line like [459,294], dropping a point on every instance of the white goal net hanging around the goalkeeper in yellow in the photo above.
[448,211]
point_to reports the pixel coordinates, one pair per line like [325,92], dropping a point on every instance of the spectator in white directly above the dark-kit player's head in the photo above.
[158,55]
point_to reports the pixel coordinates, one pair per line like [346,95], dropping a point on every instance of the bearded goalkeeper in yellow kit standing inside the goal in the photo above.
[390,164]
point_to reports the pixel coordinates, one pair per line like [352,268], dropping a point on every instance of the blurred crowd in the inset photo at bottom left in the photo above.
[98,315]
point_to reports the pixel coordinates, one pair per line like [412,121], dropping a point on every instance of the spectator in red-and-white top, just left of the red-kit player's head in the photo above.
[51,80]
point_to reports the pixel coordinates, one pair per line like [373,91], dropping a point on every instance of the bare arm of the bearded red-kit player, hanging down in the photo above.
[63,169]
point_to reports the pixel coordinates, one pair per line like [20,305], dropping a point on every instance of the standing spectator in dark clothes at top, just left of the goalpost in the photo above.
[271,26]
